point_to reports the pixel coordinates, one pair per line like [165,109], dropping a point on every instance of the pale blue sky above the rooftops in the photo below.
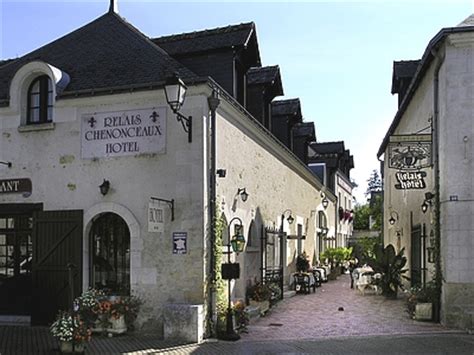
[336,56]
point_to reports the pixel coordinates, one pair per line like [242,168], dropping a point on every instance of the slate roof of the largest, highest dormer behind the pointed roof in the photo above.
[200,41]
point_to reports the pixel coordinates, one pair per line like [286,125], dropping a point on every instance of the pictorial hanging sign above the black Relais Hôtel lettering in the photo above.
[409,152]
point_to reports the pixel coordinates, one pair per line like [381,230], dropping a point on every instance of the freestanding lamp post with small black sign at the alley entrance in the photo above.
[231,271]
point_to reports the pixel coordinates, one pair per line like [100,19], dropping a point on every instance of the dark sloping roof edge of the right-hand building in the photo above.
[426,60]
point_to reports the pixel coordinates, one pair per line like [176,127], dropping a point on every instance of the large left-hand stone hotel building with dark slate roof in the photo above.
[102,186]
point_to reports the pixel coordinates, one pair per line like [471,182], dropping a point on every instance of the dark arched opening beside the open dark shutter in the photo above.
[109,247]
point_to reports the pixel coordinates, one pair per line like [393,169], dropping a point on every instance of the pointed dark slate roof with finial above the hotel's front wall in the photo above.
[106,53]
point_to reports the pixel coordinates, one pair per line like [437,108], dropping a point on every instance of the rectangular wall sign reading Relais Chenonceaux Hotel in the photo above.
[122,133]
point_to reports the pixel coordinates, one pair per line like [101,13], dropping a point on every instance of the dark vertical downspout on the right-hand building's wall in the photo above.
[435,138]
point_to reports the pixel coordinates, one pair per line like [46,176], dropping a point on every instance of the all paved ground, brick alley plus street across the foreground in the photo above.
[303,324]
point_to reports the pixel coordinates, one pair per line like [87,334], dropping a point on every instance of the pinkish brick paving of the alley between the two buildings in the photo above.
[316,315]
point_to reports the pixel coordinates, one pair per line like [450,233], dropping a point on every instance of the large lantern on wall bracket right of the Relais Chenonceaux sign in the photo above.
[175,91]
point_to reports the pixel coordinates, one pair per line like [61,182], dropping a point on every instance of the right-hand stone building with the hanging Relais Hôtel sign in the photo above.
[428,157]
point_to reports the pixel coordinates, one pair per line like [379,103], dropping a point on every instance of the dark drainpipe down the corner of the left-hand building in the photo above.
[213,102]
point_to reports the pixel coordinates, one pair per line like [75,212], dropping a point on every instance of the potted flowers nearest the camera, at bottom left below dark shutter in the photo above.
[71,331]
